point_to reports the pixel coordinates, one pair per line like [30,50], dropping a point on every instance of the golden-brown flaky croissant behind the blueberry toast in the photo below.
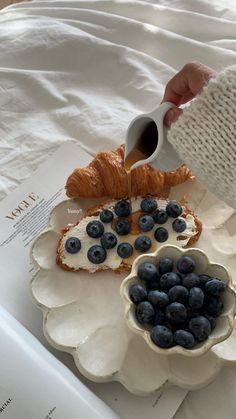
[106,176]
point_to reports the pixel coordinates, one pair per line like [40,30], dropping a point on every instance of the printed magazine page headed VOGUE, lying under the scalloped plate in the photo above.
[24,213]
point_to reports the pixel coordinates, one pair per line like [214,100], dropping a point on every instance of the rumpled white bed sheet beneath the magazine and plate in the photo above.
[81,70]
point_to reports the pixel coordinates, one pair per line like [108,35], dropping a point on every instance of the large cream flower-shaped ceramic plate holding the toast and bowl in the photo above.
[84,313]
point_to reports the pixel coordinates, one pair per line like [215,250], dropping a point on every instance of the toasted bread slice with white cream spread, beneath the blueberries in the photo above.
[76,258]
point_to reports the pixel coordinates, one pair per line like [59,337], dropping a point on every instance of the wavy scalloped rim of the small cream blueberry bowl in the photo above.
[145,334]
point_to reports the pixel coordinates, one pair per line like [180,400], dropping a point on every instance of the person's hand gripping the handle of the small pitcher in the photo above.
[184,86]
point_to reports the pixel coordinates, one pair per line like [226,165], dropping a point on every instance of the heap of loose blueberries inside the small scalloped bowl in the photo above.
[177,306]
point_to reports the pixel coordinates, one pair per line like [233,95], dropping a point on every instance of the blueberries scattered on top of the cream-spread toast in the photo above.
[150,217]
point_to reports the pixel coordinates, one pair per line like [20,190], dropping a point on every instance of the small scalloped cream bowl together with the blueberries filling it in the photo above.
[179,301]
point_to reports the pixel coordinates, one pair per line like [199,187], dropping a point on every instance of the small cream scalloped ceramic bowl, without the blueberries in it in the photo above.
[224,323]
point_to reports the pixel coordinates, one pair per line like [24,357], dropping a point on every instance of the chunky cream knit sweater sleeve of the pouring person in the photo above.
[205,136]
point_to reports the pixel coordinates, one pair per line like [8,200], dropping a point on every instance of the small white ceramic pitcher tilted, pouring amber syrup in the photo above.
[164,157]
